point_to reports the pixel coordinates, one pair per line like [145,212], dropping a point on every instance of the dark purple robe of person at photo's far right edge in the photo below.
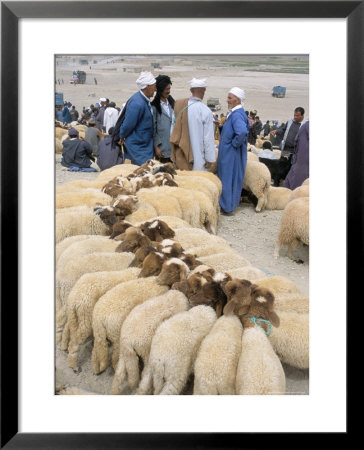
[299,170]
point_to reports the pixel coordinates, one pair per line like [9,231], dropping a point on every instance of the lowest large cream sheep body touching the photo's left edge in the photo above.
[67,276]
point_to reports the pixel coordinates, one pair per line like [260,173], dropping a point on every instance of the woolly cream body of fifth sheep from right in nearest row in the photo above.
[110,312]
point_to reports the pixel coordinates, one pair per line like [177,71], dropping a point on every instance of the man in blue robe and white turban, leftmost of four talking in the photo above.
[136,131]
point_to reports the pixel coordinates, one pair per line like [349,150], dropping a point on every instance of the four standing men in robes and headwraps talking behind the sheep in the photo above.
[182,132]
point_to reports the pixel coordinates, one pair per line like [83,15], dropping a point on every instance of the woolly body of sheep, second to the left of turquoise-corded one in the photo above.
[174,349]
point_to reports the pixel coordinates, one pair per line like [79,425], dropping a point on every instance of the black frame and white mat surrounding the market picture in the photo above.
[32,33]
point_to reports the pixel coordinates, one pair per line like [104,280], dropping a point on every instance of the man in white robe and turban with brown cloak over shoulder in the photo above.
[192,139]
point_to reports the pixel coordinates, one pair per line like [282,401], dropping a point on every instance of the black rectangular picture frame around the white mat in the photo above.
[11,12]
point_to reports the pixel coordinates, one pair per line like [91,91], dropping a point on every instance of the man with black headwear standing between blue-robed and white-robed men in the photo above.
[163,116]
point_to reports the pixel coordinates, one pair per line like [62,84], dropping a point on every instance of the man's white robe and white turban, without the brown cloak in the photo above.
[201,127]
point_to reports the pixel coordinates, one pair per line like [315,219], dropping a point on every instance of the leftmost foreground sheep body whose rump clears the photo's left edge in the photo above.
[81,301]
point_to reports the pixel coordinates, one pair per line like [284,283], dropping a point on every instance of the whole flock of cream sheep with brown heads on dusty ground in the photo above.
[139,267]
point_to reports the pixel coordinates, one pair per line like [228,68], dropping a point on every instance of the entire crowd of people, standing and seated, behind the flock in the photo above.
[152,124]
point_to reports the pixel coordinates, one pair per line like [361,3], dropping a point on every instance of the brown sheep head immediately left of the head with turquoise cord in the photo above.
[238,293]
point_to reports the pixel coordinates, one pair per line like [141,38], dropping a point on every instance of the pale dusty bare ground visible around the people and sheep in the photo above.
[252,234]
